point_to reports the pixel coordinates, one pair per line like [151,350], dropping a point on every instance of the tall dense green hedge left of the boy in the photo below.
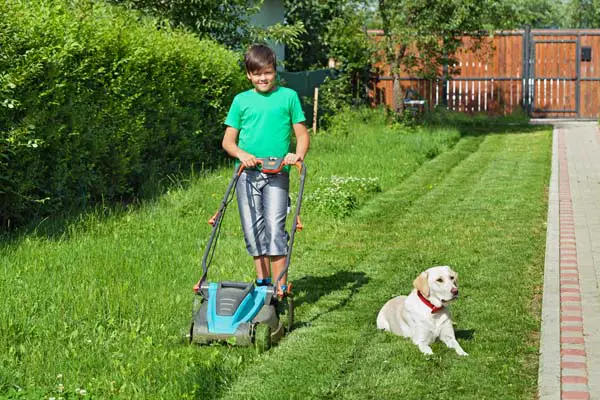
[97,103]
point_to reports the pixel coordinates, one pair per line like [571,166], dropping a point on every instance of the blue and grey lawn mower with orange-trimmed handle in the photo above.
[243,313]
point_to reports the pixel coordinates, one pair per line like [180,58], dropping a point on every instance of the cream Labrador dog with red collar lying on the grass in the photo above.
[423,315]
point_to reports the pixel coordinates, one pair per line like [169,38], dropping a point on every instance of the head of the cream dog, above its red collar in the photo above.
[439,283]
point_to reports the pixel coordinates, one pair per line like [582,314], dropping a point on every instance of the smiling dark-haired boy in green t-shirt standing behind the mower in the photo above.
[259,125]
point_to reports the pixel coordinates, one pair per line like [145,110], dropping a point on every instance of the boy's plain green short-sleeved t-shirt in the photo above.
[264,120]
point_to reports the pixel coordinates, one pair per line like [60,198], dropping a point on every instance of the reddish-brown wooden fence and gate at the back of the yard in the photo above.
[547,73]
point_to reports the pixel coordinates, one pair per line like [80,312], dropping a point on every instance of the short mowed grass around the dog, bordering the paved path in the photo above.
[342,356]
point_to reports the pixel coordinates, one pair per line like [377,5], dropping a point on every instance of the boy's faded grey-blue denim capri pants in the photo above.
[263,201]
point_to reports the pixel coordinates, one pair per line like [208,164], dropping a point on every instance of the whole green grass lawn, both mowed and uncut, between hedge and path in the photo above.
[99,304]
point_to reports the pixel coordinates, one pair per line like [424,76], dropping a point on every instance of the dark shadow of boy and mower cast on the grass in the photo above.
[312,288]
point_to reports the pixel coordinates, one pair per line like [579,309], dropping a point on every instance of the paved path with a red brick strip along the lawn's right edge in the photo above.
[570,340]
